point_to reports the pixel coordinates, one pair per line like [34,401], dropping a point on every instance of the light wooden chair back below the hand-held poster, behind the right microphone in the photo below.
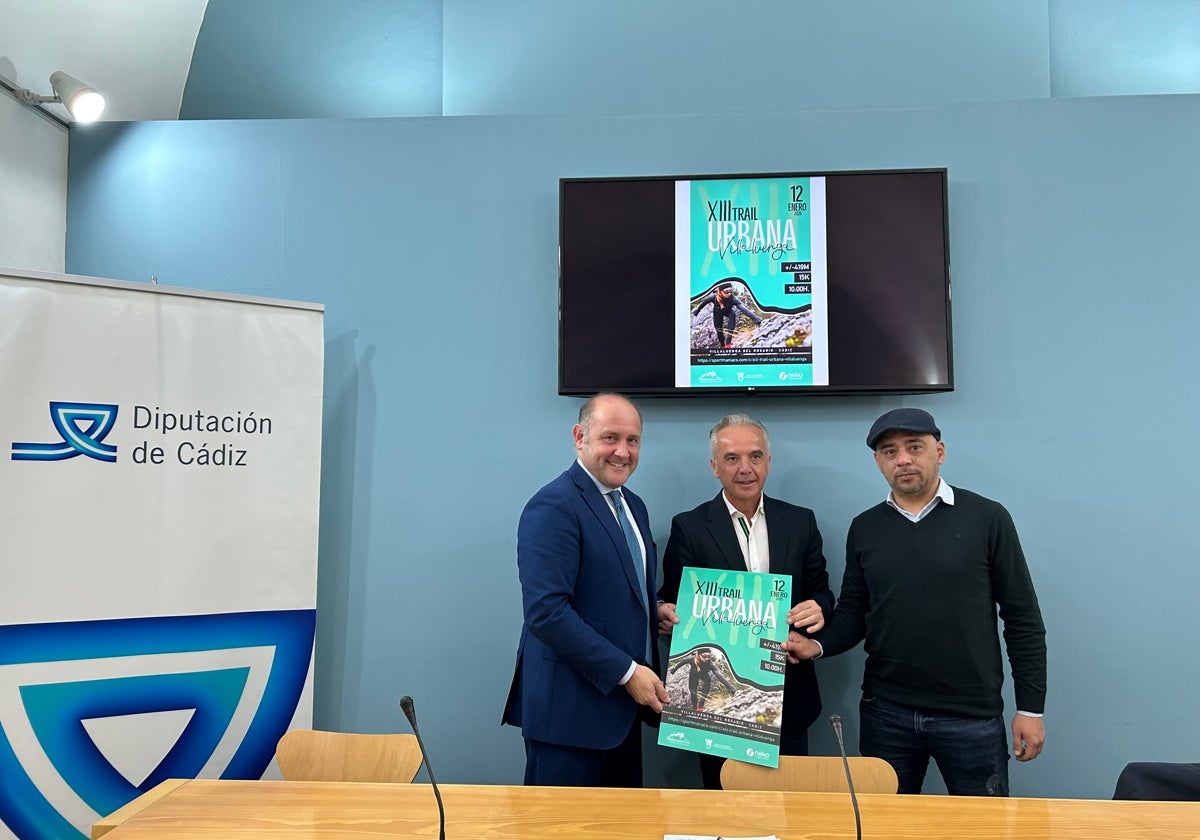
[812,773]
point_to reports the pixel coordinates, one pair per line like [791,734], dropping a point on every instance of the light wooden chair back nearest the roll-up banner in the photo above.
[313,755]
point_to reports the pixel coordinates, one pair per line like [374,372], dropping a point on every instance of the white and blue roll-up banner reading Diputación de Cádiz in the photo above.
[159,499]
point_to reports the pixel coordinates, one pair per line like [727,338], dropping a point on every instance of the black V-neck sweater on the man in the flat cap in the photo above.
[925,596]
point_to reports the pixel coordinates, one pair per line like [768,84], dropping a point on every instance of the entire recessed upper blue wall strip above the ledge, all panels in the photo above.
[427,58]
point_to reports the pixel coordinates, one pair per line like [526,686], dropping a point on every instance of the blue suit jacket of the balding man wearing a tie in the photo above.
[584,619]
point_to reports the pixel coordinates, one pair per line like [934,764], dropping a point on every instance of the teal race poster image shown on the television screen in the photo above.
[751,285]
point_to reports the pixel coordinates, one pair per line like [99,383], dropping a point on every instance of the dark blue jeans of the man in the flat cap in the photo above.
[971,753]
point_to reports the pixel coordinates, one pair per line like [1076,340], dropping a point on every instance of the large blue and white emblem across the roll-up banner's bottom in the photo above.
[233,681]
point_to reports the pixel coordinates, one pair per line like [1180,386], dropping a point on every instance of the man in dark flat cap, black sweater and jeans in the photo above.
[926,572]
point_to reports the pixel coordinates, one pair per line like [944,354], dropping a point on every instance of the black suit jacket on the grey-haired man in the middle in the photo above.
[705,538]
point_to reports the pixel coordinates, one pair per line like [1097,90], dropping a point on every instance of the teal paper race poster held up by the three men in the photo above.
[725,671]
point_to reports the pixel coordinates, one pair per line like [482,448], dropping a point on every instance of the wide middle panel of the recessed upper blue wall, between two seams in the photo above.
[631,57]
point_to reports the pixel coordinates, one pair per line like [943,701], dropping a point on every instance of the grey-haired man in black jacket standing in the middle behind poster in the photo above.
[745,530]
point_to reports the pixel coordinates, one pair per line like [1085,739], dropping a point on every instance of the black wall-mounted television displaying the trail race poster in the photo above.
[814,283]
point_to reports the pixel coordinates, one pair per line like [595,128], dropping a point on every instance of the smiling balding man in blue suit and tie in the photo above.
[586,673]
